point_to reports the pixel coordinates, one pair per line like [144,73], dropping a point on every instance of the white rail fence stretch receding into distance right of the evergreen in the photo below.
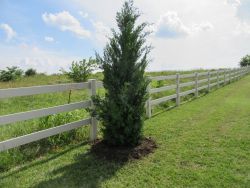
[211,79]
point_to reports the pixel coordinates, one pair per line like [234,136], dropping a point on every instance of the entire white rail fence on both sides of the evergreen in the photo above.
[222,77]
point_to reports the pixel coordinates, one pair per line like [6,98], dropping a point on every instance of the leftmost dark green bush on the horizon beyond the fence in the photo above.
[12,73]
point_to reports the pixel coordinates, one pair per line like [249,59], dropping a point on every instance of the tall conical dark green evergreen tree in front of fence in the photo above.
[124,62]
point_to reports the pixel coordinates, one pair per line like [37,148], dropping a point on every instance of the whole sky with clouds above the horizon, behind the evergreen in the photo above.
[187,34]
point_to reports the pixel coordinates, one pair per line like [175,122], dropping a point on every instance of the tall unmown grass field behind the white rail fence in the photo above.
[29,152]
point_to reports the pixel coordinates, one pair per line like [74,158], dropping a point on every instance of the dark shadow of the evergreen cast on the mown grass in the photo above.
[86,171]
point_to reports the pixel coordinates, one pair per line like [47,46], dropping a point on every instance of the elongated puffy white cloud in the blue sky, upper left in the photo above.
[66,22]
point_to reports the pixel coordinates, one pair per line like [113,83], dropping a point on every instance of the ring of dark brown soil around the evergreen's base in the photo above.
[121,153]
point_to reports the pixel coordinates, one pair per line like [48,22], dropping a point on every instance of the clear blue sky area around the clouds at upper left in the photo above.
[26,19]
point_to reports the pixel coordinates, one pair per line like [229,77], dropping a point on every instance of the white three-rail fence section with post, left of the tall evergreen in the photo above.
[91,85]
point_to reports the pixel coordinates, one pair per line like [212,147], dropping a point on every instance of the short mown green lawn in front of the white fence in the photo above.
[204,143]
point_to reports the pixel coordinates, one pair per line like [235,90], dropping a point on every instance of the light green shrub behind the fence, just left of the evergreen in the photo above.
[80,71]
